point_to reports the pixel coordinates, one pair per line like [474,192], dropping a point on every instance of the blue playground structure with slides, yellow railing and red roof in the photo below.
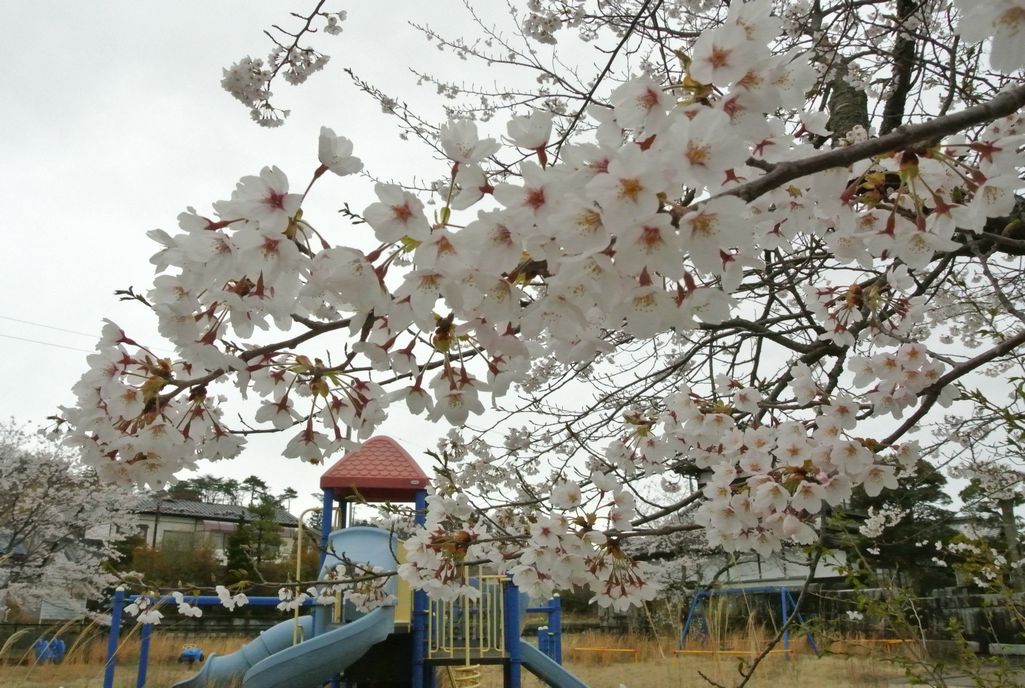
[402,644]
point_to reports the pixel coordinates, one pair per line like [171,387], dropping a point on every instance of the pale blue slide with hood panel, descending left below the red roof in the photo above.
[272,661]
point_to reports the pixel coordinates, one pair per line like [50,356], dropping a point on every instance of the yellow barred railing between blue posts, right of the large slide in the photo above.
[469,627]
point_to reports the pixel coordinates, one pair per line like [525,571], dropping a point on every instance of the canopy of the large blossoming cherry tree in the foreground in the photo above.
[759,244]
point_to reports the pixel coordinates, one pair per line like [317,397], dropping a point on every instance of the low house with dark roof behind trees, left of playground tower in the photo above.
[184,525]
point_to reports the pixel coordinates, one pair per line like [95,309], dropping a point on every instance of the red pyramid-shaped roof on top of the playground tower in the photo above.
[380,471]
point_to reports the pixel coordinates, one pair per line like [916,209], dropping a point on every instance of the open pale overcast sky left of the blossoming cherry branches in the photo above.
[114,120]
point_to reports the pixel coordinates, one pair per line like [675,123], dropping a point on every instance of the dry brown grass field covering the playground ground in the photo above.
[653,665]
